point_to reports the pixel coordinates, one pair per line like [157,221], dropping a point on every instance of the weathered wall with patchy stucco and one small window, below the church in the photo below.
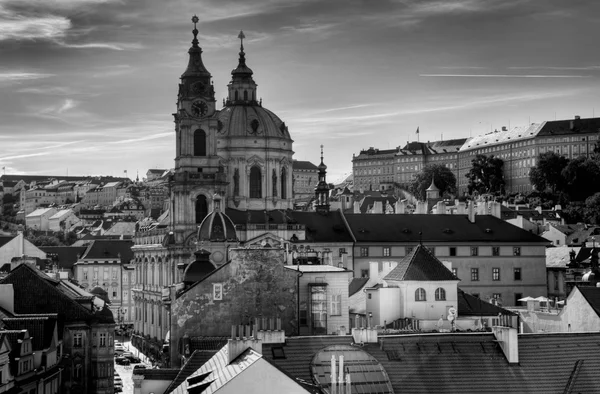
[254,283]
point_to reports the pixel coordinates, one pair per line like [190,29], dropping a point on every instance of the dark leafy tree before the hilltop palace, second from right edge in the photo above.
[547,174]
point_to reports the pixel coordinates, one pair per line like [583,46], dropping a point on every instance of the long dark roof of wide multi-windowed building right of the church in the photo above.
[436,228]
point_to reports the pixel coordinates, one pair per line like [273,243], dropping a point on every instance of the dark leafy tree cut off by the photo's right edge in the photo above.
[582,177]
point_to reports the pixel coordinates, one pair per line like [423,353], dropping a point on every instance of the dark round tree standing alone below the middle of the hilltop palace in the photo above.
[486,175]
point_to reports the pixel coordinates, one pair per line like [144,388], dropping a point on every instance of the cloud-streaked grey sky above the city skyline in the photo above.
[88,87]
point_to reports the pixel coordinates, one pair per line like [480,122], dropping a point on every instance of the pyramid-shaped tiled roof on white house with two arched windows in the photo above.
[420,265]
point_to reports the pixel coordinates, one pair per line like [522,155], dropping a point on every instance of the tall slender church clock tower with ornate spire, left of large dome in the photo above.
[198,175]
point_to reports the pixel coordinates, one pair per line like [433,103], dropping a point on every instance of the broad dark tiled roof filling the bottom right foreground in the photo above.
[465,362]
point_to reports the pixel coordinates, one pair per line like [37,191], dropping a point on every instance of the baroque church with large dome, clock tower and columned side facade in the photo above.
[237,159]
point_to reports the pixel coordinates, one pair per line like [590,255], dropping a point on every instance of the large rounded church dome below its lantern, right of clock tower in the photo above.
[251,121]
